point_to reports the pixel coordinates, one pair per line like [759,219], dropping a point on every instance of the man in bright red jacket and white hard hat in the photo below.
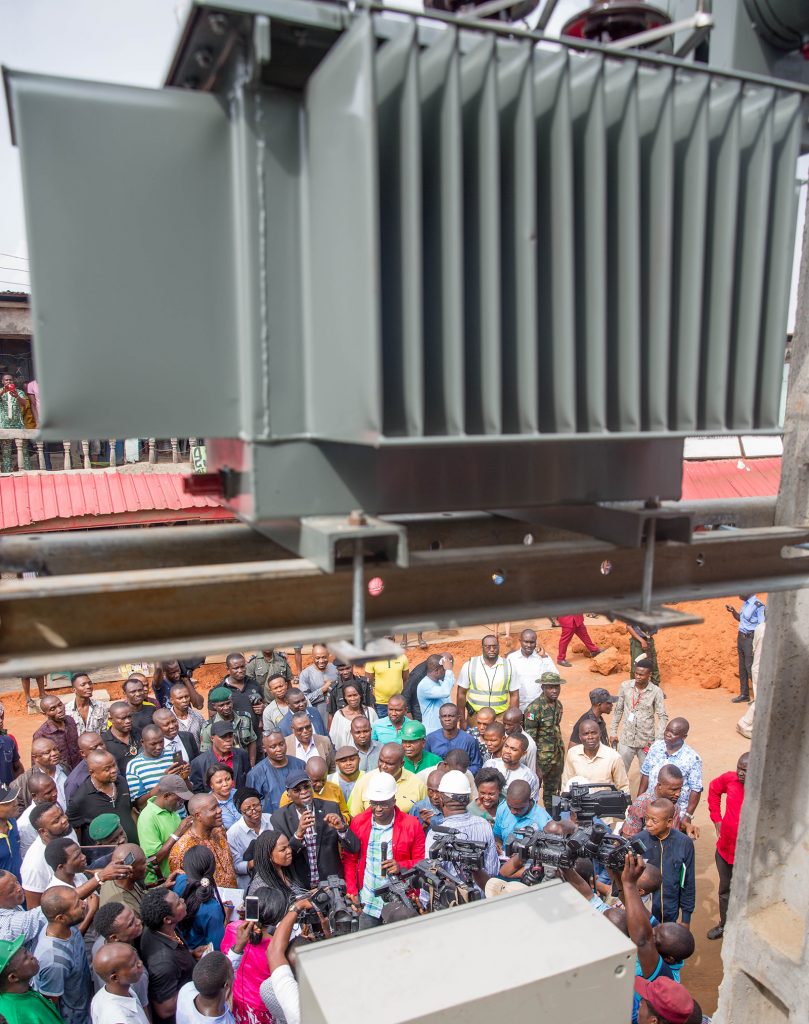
[390,841]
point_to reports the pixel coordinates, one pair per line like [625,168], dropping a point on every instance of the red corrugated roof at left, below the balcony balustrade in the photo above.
[82,500]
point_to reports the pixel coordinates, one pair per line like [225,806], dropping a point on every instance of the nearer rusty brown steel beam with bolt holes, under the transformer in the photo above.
[105,618]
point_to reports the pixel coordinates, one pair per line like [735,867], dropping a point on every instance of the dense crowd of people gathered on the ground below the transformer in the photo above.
[135,842]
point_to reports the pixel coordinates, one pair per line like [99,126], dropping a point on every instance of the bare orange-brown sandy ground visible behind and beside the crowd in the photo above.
[692,659]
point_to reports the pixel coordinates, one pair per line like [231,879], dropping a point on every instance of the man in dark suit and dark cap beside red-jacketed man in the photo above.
[317,832]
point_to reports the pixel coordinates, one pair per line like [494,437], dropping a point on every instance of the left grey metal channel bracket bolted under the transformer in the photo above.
[327,540]
